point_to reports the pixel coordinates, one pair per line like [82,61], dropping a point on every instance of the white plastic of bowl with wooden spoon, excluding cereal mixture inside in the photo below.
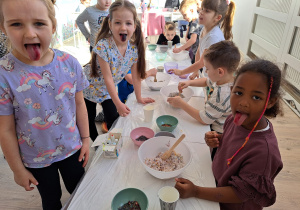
[152,147]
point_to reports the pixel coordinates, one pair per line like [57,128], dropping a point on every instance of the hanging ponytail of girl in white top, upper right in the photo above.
[227,23]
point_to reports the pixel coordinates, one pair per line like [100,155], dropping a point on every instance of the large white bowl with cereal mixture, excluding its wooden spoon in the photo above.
[150,152]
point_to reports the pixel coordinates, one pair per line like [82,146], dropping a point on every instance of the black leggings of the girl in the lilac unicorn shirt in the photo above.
[71,171]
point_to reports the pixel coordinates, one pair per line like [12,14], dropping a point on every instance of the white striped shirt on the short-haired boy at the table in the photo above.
[217,107]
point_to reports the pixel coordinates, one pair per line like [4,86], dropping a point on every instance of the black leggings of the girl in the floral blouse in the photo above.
[109,111]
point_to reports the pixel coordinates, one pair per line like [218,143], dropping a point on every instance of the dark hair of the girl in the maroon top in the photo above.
[267,69]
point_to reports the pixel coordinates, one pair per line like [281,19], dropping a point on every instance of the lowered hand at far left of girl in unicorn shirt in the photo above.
[25,178]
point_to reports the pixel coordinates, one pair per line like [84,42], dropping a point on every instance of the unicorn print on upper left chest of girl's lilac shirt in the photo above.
[40,81]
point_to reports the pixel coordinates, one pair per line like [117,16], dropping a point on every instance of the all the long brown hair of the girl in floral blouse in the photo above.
[136,39]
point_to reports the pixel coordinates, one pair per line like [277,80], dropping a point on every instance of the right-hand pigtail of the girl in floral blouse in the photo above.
[139,42]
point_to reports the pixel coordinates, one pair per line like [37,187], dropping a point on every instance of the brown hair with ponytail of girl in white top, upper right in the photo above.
[227,12]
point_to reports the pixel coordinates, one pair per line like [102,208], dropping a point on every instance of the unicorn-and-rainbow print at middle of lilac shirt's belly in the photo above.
[53,117]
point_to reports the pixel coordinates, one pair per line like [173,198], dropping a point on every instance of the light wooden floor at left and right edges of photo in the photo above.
[287,129]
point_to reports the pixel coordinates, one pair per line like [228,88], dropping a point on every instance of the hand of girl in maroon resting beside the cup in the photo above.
[185,187]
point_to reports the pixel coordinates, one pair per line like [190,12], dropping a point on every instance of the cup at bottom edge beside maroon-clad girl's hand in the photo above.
[168,197]
